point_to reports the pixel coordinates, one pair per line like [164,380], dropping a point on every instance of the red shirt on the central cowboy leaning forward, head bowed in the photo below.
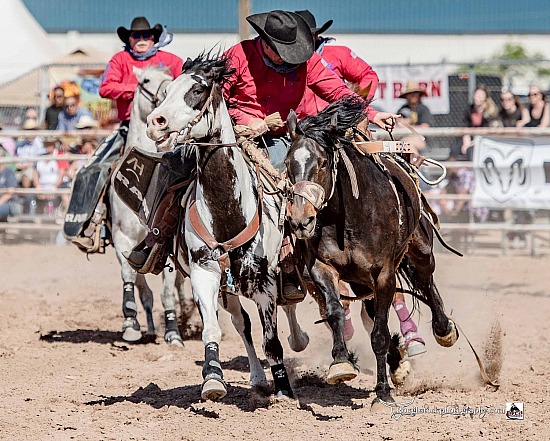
[255,90]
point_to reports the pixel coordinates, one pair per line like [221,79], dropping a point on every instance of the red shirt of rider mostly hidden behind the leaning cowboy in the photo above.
[347,66]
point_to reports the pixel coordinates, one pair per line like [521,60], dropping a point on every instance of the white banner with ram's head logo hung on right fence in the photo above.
[512,173]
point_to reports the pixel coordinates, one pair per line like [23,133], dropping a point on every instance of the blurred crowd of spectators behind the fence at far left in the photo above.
[65,114]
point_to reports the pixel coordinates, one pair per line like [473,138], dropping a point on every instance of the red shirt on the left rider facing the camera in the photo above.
[119,82]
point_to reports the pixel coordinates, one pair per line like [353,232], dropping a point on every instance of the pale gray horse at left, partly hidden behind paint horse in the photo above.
[127,230]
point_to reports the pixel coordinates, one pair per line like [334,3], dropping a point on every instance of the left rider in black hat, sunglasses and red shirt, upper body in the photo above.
[142,45]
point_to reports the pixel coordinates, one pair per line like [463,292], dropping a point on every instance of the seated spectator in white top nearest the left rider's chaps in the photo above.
[50,173]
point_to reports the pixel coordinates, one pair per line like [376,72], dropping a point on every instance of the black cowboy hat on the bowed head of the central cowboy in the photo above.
[287,33]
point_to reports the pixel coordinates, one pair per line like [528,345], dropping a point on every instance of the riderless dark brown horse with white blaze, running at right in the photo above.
[364,239]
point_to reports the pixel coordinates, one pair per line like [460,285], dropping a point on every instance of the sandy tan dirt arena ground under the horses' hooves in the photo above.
[66,374]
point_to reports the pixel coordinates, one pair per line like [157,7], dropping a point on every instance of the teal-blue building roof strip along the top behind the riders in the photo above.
[352,16]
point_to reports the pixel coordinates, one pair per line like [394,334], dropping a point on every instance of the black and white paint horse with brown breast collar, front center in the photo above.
[232,235]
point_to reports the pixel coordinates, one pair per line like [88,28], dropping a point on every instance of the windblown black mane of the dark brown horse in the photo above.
[348,111]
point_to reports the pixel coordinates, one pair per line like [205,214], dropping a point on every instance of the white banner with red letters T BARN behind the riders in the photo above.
[393,80]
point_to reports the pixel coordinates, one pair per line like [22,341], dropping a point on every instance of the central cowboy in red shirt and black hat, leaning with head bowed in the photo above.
[272,74]
